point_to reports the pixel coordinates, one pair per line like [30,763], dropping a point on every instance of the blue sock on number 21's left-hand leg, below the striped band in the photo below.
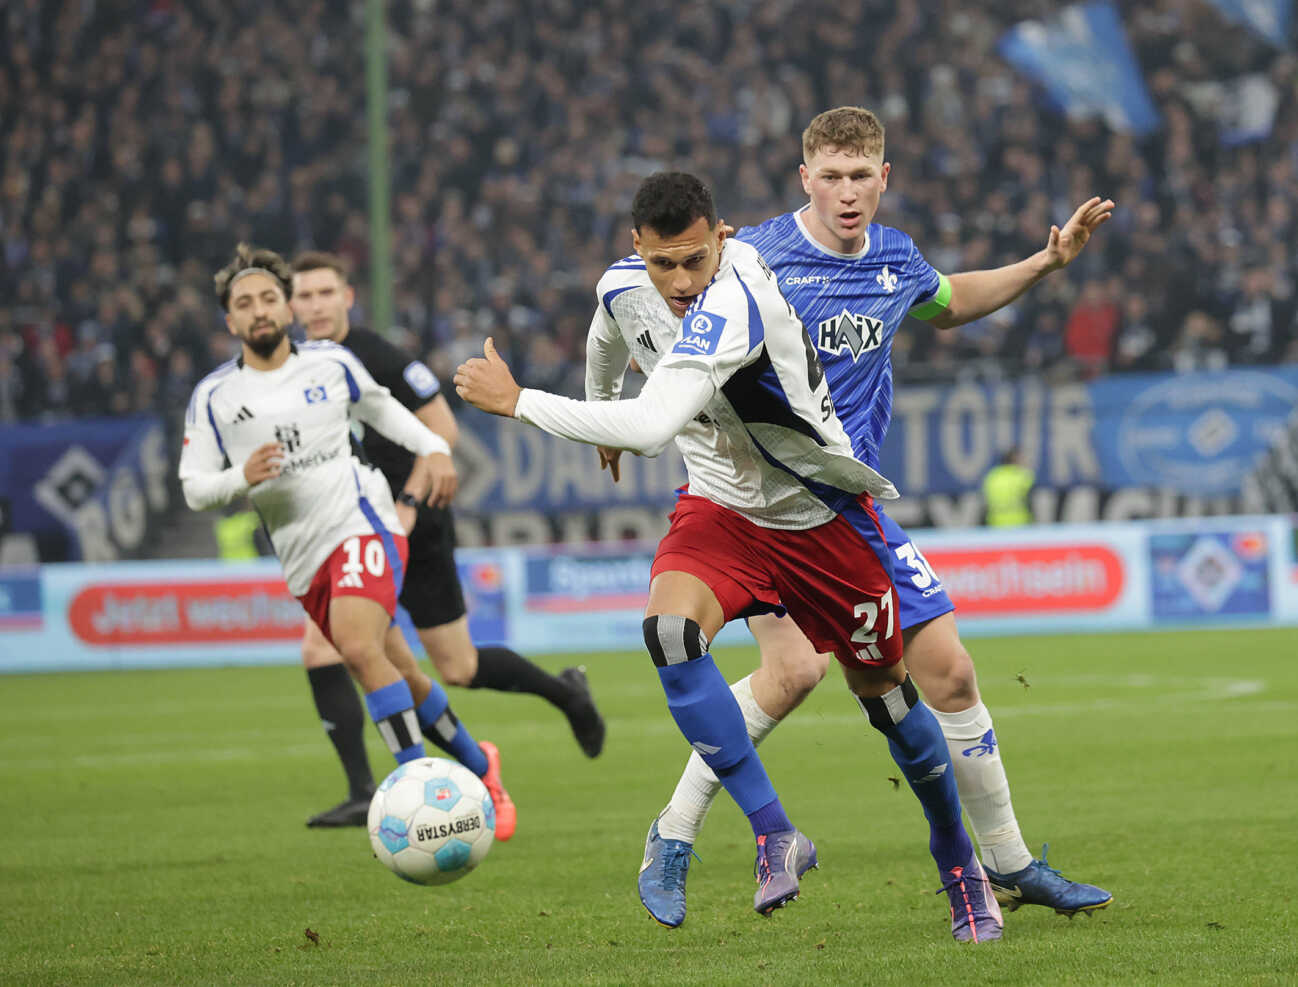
[708,715]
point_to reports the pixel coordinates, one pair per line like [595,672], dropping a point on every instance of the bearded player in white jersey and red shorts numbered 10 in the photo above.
[276,425]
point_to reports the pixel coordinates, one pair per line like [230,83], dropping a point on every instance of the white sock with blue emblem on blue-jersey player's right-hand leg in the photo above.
[985,789]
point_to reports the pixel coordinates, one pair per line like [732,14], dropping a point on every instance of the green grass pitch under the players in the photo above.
[153,833]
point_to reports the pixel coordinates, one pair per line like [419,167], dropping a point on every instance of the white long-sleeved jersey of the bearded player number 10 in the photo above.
[324,494]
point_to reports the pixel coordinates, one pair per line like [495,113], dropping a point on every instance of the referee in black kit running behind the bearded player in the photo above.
[432,594]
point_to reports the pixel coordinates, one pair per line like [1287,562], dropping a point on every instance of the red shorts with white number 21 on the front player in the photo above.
[835,580]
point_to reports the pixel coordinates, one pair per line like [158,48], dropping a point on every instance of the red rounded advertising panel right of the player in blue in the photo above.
[1016,580]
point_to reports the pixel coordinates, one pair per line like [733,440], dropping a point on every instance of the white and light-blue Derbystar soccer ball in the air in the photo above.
[432,821]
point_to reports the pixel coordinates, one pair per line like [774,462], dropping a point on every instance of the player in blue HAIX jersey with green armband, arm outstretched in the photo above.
[853,282]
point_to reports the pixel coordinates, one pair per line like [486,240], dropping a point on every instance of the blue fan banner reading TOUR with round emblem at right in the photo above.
[1197,434]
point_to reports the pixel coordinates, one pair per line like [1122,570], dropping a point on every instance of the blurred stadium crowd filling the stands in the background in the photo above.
[141,140]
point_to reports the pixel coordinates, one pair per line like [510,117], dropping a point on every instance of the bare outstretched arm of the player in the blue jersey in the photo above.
[981,293]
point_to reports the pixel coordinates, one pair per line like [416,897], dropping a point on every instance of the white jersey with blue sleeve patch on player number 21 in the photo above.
[768,445]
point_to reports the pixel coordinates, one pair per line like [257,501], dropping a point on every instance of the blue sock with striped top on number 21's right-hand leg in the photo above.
[918,747]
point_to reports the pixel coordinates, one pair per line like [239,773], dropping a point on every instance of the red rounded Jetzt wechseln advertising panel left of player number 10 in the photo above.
[185,614]
